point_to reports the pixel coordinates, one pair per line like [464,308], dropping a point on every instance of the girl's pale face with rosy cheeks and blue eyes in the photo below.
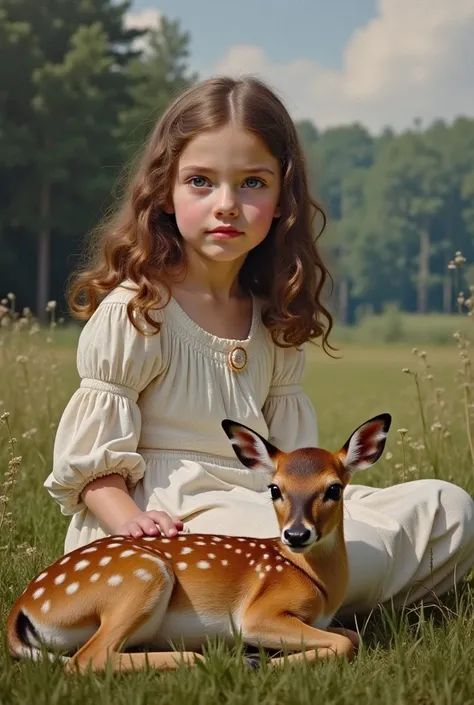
[225,193]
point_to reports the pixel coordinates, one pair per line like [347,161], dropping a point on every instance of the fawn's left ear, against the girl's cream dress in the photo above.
[252,450]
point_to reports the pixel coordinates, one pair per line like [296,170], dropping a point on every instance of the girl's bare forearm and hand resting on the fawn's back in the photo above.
[109,500]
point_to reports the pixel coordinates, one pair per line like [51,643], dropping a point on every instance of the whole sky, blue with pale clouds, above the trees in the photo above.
[382,63]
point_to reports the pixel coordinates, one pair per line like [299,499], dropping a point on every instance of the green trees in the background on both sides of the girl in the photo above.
[79,92]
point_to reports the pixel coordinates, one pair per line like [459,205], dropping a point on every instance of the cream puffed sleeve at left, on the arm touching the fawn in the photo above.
[100,428]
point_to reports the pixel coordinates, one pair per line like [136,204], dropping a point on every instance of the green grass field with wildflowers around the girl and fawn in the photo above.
[412,656]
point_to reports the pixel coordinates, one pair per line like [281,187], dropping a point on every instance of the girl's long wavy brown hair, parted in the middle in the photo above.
[140,242]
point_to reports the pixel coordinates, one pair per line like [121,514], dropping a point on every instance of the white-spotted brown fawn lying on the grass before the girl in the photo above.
[121,592]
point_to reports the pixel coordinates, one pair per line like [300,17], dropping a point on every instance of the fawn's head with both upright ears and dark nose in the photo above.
[307,484]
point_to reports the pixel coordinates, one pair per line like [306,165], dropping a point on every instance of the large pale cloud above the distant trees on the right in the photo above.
[414,59]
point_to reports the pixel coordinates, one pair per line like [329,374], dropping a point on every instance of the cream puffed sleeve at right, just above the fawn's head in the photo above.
[289,414]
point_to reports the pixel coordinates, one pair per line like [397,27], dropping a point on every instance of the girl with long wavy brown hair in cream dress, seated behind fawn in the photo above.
[203,290]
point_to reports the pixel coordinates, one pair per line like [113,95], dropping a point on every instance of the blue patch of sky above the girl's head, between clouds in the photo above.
[286,29]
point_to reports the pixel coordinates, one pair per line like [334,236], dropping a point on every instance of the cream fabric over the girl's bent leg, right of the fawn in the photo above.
[406,542]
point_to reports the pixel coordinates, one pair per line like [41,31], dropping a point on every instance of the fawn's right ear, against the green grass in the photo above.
[366,444]
